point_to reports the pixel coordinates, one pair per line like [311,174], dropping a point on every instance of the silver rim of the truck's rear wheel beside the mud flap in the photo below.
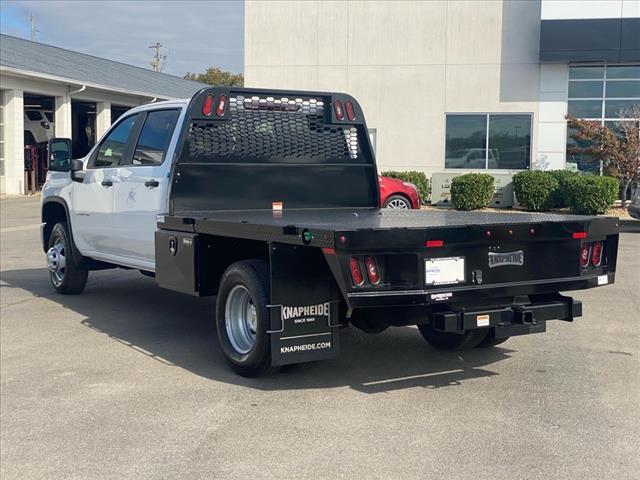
[241,319]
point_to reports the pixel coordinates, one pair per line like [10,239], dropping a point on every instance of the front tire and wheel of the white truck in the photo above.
[66,277]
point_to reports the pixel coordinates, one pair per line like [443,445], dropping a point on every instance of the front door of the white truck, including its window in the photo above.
[92,210]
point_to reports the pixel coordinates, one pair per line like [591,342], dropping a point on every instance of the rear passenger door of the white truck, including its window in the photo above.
[141,186]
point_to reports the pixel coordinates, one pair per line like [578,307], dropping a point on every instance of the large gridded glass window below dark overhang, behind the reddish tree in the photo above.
[605,93]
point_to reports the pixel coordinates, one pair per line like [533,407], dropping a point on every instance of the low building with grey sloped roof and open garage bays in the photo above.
[46,91]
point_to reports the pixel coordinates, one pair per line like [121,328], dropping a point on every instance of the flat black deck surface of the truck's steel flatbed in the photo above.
[286,226]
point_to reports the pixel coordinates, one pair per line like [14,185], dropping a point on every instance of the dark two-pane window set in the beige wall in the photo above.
[491,141]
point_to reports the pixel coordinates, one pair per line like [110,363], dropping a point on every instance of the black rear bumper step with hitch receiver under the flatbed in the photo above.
[509,320]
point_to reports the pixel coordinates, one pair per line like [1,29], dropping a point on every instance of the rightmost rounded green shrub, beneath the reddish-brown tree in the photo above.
[592,195]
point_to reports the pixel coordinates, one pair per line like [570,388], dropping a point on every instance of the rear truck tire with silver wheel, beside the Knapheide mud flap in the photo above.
[242,318]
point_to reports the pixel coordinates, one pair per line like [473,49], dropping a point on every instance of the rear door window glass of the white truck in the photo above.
[155,137]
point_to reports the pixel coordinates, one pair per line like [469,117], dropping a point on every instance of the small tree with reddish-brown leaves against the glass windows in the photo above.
[617,146]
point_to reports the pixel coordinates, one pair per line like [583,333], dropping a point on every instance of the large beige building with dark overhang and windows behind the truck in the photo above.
[457,85]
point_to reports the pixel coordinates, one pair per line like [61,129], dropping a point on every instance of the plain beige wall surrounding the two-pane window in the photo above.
[407,62]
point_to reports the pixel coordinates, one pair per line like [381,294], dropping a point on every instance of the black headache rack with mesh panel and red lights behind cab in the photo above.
[245,149]
